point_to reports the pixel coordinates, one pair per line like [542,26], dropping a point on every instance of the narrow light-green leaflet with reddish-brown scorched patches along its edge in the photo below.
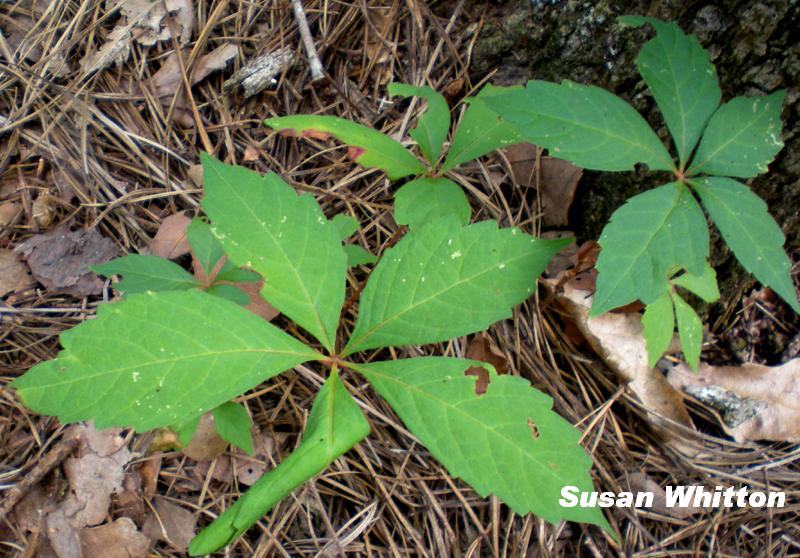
[369,148]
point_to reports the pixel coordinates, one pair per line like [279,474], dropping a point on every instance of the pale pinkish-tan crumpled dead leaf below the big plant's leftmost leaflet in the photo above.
[94,475]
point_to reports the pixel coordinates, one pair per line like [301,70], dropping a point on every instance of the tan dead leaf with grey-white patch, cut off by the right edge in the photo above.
[756,402]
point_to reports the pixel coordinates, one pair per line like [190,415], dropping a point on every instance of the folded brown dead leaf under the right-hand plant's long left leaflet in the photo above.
[558,180]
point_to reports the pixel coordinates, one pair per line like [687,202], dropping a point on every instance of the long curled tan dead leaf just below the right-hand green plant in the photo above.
[618,340]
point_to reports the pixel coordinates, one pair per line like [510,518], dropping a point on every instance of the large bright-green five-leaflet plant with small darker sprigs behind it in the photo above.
[175,348]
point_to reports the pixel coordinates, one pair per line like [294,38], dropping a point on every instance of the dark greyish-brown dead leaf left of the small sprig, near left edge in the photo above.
[60,259]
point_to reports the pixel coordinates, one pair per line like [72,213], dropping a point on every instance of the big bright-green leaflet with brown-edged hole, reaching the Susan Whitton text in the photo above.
[507,441]
